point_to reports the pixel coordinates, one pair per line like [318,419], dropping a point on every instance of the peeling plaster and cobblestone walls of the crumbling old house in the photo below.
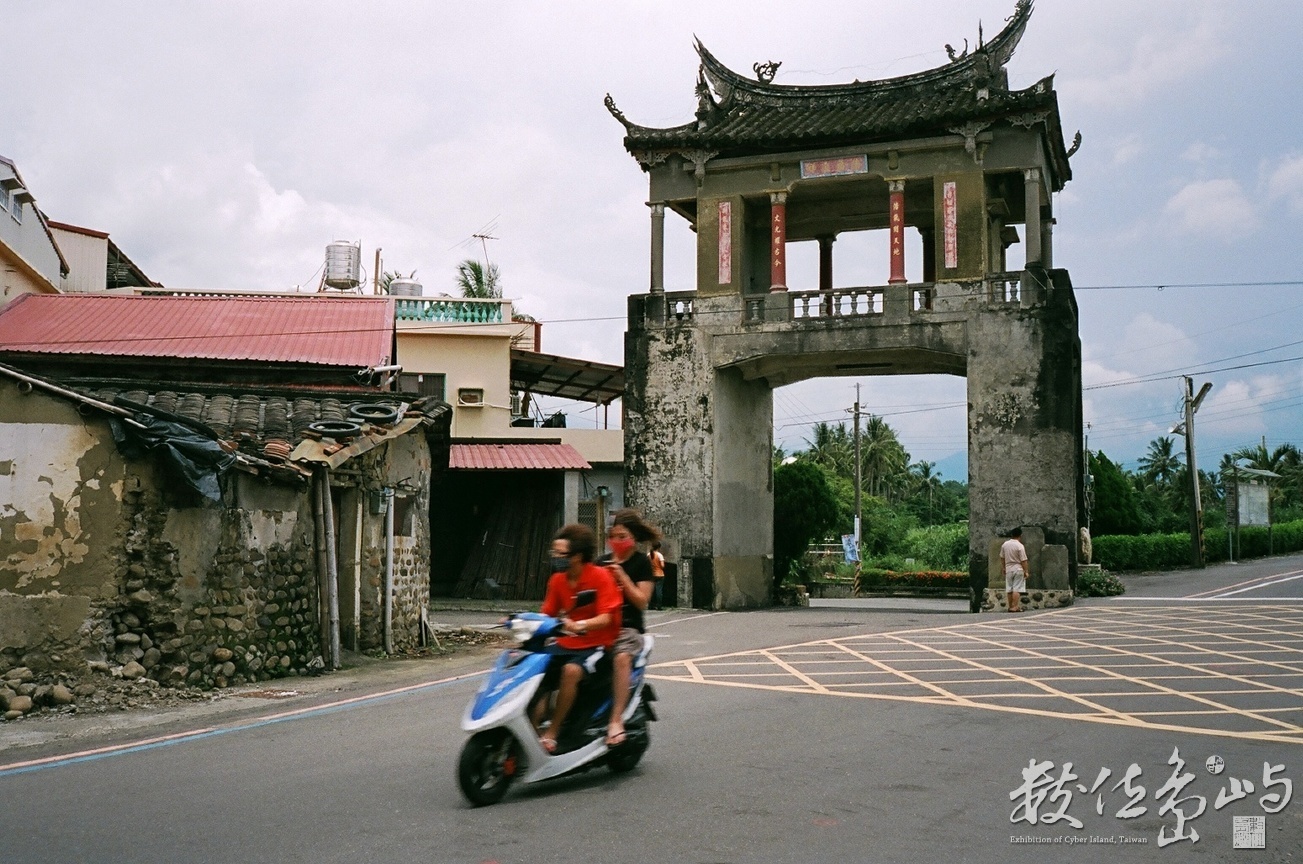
[100,564]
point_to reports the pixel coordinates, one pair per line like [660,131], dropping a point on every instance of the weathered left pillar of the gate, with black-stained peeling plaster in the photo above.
[699,450]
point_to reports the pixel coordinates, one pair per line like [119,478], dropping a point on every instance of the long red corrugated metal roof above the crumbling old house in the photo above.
[320,330]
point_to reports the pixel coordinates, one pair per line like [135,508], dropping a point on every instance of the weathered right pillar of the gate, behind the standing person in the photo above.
[1025,436]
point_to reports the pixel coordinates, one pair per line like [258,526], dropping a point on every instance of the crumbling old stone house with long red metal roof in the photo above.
[209,489]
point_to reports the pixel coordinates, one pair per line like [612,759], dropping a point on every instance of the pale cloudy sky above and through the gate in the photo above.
[226,144]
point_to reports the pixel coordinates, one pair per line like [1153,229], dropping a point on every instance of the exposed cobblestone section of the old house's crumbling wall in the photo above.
[248,616]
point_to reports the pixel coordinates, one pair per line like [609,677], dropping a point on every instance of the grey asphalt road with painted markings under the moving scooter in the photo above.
[858,732]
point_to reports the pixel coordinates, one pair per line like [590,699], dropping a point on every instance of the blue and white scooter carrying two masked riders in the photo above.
[504,746]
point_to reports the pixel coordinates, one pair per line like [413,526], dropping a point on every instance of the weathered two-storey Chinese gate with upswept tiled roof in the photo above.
[952,152]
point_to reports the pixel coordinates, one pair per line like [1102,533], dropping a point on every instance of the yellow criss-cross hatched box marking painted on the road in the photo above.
[1193,643]
